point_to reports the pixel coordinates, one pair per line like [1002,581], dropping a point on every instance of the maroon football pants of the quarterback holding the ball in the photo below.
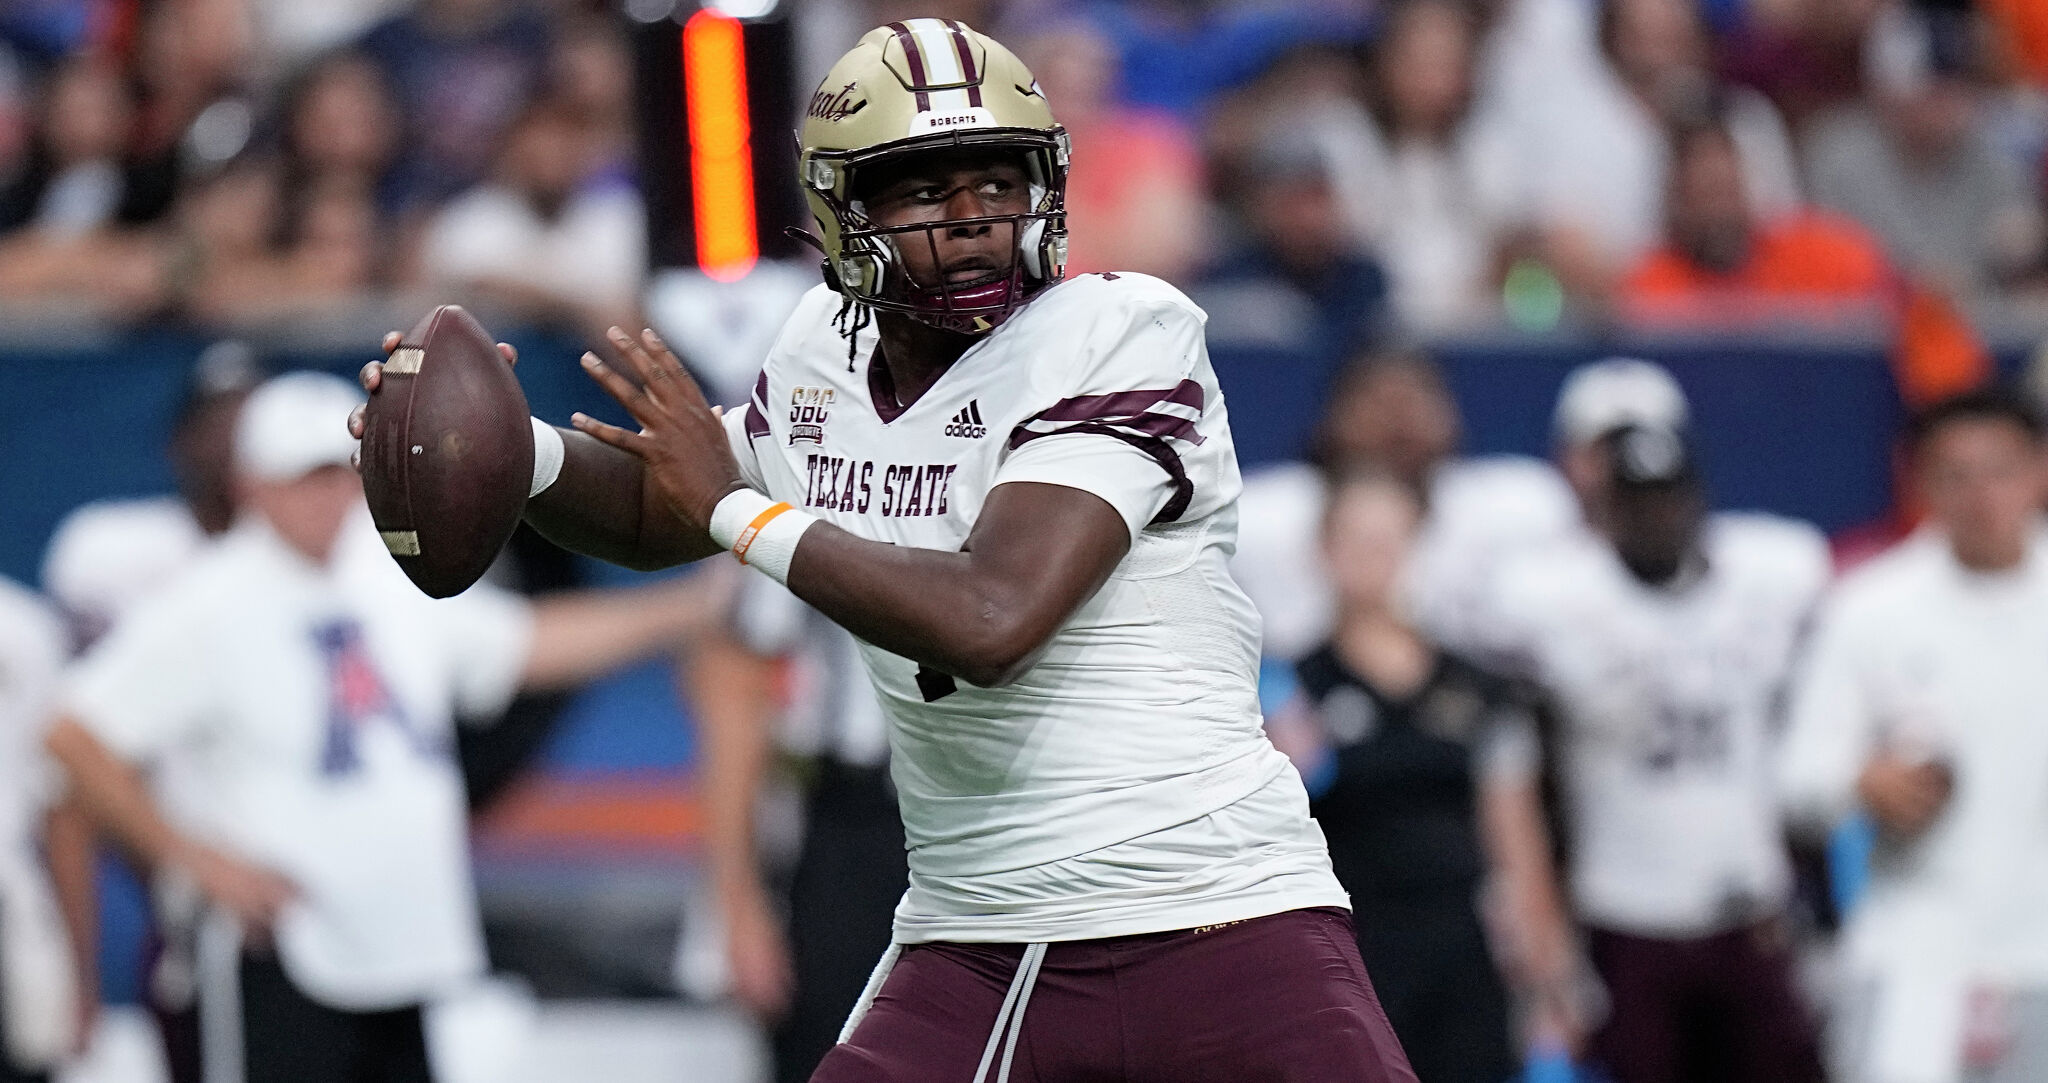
[1271,1000]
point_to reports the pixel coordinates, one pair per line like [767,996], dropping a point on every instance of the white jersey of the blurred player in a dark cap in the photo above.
[1670,701]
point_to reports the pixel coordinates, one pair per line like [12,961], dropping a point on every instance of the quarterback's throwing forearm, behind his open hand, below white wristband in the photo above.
[605,507]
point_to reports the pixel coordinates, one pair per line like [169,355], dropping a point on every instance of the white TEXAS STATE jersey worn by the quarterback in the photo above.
[1140,718]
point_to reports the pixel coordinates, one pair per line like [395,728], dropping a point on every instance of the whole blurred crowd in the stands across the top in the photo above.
[1320,171]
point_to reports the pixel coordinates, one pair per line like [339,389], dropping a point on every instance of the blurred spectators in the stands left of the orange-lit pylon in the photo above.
[265,163]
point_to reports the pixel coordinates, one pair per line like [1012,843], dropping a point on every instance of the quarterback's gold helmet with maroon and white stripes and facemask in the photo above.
[916,87]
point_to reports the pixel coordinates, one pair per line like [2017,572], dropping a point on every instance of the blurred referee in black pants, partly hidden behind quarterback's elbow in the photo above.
[802,939]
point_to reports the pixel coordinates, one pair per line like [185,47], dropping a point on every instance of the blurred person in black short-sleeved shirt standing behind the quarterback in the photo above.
[1422,771]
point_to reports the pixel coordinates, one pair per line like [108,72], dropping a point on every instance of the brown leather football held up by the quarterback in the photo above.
[447,453]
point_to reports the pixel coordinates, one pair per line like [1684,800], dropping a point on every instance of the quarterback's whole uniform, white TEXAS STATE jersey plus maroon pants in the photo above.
[1109,840]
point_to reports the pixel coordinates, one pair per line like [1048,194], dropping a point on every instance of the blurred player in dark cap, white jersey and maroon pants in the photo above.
[1666,638]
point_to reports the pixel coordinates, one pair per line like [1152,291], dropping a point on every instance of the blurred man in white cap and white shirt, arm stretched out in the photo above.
[312,691]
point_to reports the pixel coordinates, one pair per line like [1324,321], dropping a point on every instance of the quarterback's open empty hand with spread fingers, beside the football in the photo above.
[681,439]
